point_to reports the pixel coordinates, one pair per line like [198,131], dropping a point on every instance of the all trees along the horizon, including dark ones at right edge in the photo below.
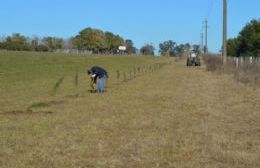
[97,41]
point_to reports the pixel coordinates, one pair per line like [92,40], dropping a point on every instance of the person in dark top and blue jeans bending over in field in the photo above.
[98,76]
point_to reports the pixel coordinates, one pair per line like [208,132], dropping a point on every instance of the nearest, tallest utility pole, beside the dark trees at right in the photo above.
[224,49]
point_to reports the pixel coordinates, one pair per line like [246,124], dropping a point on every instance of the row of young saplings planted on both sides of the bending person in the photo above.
[121,76]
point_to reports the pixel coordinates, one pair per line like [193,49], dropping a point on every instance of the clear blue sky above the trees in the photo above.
[143,21]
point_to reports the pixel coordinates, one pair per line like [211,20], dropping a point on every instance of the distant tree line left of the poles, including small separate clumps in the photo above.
[90,39]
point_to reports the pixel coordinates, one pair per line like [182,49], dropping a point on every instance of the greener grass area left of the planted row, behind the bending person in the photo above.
[27,77]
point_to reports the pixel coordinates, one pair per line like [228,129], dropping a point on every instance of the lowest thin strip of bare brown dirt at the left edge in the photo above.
[26,113]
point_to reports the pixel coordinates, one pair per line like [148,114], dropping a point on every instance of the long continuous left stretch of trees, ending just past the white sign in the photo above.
[89,39]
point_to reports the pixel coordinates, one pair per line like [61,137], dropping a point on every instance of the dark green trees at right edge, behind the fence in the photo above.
[248,41]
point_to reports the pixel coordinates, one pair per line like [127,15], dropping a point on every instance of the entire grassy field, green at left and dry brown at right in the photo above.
[171,117]
